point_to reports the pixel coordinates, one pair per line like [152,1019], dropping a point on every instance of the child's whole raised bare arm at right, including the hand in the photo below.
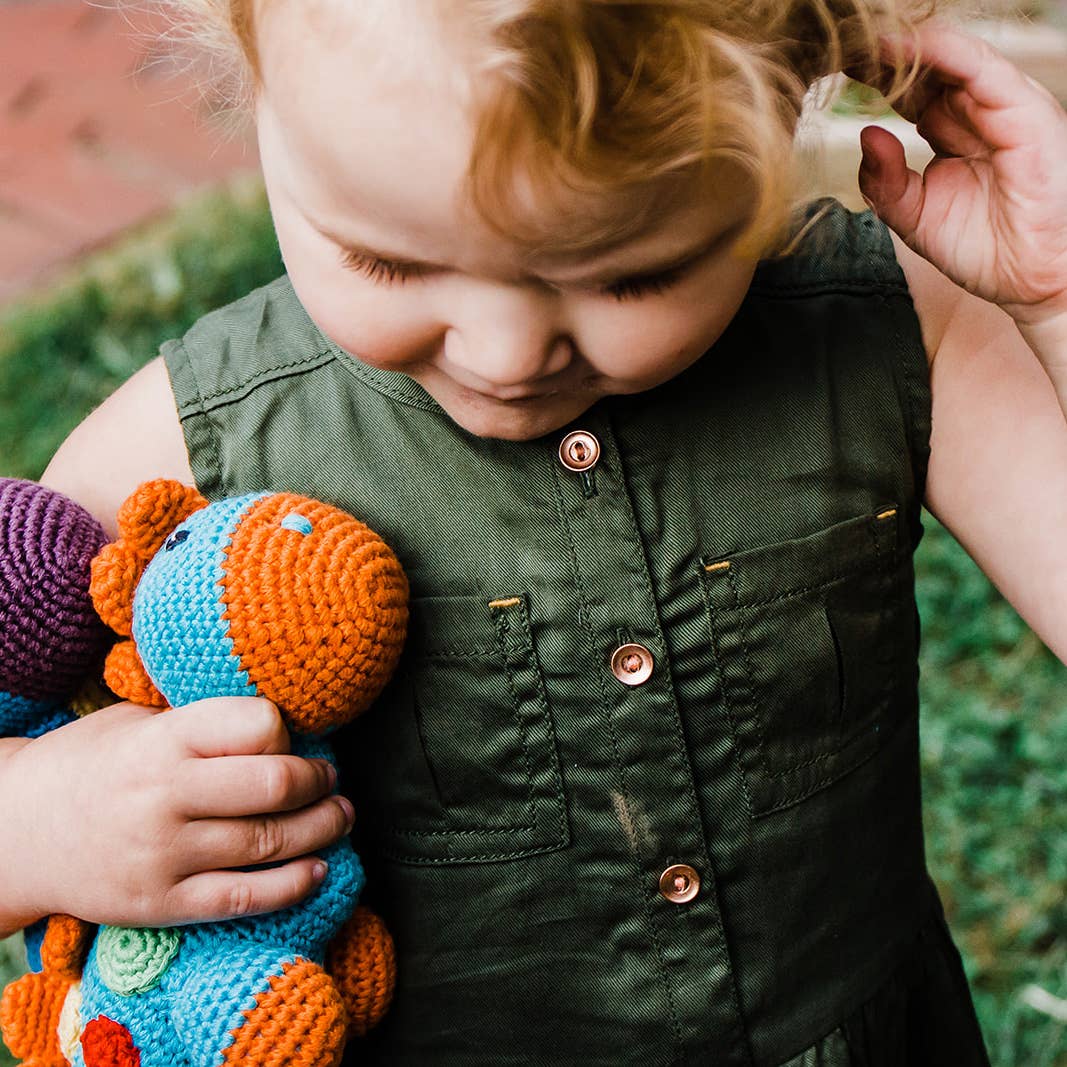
[991,213]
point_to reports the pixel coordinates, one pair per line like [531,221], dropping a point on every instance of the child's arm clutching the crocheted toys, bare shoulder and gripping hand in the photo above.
[135,817]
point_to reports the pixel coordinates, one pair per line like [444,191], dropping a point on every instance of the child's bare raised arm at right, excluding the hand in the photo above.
[998,474]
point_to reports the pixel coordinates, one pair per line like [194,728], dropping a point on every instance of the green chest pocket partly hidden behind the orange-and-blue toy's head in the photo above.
[459,754]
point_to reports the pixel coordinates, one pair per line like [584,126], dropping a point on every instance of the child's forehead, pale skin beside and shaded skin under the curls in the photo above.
[371,104]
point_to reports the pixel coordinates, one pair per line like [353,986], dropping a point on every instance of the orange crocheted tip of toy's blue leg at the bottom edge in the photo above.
[300,1022]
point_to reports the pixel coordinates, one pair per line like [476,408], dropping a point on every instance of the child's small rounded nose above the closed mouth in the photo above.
[509,338]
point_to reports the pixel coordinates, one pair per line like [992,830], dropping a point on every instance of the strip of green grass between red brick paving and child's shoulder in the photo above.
[62,355]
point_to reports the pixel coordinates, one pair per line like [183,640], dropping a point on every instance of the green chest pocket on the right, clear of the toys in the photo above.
[816,644]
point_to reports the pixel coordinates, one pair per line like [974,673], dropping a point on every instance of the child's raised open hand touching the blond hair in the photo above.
[991,210]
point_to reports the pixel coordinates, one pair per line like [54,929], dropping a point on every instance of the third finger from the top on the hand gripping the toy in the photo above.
[268,839]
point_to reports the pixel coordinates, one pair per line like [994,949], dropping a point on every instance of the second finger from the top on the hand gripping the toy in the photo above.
[234,786]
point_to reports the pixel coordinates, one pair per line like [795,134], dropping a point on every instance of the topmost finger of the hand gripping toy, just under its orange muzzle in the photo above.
[230,726]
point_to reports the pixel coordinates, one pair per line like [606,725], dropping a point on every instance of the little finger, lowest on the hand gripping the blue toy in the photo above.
[217,896]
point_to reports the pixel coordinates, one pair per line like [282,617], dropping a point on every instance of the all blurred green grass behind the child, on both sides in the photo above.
[995,712]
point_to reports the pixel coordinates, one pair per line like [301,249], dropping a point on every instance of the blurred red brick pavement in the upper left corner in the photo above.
[92,139]
